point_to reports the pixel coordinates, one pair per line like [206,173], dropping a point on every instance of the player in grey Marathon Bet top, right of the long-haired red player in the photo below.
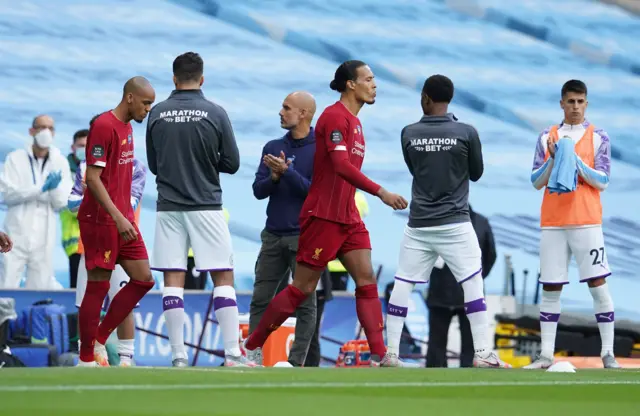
[442,155]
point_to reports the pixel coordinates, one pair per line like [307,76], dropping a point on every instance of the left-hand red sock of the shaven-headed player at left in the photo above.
[89,316]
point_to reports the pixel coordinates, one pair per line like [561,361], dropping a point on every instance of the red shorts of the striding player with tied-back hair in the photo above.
[321,241]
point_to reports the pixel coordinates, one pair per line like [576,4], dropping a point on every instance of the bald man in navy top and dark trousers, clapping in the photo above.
[284,176]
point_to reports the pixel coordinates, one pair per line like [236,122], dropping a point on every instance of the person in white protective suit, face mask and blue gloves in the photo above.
[35,183]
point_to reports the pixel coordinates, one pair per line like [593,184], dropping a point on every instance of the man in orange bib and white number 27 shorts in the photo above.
[572,223]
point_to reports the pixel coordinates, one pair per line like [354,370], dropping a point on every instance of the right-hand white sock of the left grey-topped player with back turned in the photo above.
[226,309]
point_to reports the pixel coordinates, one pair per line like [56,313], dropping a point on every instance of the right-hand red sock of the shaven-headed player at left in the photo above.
[121,305]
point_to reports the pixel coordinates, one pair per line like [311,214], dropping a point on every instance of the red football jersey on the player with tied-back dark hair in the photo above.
[331,197]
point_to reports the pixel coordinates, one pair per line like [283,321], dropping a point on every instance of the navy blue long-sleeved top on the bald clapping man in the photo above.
[287,195]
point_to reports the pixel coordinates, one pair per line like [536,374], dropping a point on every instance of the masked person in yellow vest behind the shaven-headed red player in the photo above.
[69,219]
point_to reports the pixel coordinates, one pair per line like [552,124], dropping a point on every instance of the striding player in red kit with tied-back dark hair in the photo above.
[330,223]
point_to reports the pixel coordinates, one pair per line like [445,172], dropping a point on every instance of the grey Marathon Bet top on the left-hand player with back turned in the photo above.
[189,143]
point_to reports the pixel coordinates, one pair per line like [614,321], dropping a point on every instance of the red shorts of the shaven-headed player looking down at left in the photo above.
[104,247]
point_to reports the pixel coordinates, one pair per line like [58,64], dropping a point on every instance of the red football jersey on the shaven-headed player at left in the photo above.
[109,146]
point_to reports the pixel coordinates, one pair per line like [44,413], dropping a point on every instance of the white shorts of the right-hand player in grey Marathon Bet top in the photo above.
[457,244]
